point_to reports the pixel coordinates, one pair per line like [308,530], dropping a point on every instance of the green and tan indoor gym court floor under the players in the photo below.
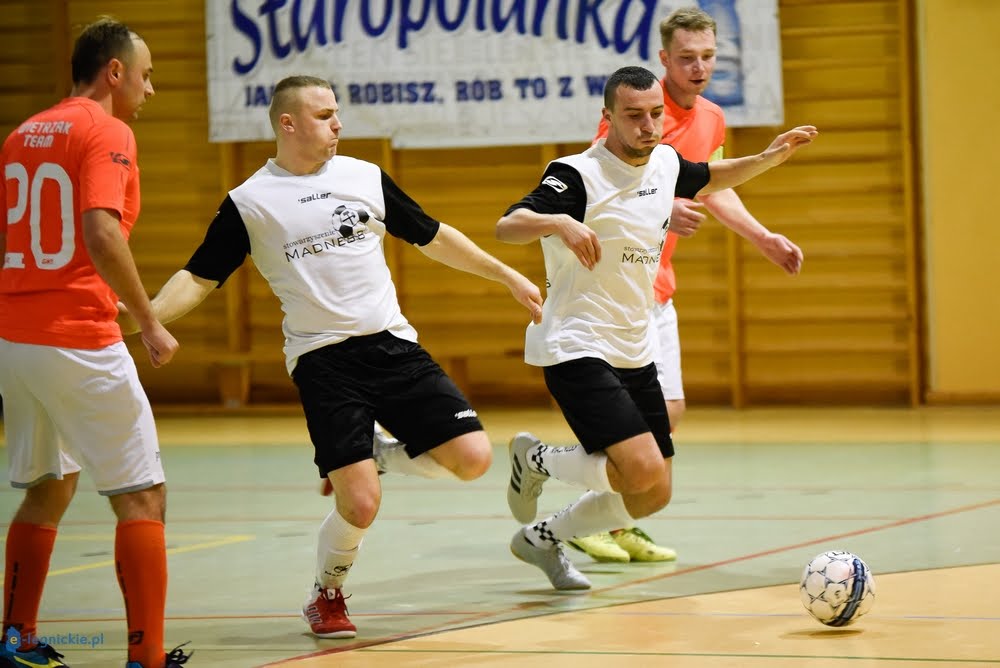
[916,493]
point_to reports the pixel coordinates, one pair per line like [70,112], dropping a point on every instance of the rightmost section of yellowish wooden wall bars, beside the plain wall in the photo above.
[842,330]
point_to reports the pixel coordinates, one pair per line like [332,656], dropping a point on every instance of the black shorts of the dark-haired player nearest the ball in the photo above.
[605,405]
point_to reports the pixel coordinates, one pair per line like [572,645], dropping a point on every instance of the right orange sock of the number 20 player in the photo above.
[141,564]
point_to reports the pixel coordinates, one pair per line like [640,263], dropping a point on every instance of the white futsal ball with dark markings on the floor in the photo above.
[837,588]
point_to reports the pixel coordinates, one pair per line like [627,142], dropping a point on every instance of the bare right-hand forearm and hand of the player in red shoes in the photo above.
[456,250]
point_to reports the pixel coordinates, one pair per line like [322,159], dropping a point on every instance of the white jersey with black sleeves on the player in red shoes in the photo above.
[317,240]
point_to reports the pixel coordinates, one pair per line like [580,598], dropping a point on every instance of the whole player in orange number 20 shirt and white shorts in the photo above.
[71,393]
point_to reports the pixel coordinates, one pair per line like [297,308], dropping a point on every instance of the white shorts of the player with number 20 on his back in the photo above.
[68,408]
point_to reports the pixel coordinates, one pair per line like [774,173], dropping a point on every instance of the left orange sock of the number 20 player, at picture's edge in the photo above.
[29,549]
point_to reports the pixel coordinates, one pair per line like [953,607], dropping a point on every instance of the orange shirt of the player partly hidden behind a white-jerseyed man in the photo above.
[696,133]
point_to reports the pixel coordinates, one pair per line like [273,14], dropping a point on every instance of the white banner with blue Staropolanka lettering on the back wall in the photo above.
[447,73]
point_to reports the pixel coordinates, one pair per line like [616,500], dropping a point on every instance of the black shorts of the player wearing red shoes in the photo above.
[347,386]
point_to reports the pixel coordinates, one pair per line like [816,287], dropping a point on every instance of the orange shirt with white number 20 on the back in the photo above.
[59,163]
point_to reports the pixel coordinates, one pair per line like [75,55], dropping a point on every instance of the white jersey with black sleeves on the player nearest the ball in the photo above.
[605,312]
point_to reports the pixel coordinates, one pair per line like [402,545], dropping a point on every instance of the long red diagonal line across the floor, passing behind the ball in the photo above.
[480,619]
